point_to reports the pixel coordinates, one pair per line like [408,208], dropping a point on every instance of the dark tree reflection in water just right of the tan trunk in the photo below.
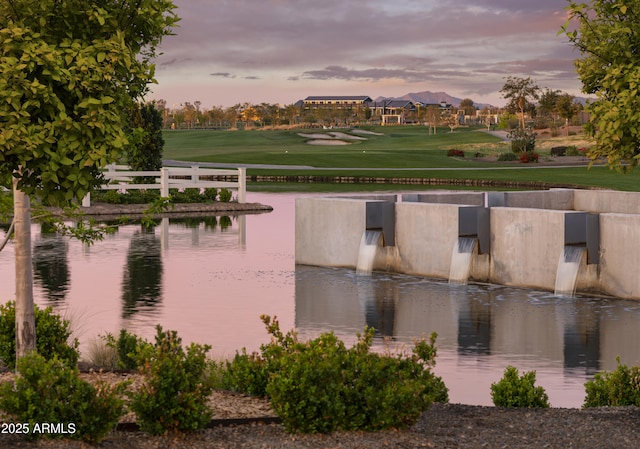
[50,264]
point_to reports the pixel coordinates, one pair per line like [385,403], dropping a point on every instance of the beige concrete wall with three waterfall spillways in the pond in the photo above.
[517,245]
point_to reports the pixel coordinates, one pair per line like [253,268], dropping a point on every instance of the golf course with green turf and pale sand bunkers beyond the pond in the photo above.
[396,153]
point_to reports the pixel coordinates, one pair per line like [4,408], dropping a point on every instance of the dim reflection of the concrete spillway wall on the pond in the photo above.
[478,326]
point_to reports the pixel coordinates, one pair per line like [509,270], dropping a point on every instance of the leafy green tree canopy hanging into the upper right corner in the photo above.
[607,34]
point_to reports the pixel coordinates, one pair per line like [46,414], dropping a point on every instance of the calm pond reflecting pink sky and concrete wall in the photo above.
[211,278]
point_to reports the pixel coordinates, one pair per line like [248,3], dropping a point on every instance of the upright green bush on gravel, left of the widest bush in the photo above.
[178,382]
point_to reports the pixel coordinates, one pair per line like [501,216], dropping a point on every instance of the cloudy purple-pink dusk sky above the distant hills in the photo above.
[279,51]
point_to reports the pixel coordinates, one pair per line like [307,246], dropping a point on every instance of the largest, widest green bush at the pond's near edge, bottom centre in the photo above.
[321,386]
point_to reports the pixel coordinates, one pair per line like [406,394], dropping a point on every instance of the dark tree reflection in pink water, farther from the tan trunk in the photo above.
[142,281]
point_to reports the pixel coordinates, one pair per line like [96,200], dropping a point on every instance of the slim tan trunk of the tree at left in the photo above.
[25,318]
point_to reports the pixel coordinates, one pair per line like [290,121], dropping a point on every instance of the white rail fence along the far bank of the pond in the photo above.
[120,177]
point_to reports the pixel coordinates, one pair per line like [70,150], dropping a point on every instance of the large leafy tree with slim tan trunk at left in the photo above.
[69,70]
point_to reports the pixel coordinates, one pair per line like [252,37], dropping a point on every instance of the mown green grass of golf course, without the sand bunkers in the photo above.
[398,147]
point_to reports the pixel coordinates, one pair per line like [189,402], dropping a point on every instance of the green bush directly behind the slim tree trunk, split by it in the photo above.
[53,335]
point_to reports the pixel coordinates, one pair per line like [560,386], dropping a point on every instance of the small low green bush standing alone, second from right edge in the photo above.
[518,391]
